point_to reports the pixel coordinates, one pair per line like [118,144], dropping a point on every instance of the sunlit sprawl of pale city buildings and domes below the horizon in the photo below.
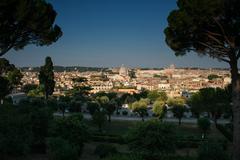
[176,82]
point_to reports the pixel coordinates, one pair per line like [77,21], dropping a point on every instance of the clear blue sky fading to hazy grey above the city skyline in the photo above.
[109,33]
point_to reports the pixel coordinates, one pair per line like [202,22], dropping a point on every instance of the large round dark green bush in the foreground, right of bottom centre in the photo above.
[152,139]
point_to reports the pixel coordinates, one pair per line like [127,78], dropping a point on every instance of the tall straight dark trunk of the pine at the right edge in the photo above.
[235,107]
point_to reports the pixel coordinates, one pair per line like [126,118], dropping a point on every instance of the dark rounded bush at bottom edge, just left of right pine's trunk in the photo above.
[212,151]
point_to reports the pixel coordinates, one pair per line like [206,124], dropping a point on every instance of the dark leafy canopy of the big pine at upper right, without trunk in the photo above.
[193,26]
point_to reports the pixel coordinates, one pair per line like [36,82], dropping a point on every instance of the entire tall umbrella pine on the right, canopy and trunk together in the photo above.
[209,27]
